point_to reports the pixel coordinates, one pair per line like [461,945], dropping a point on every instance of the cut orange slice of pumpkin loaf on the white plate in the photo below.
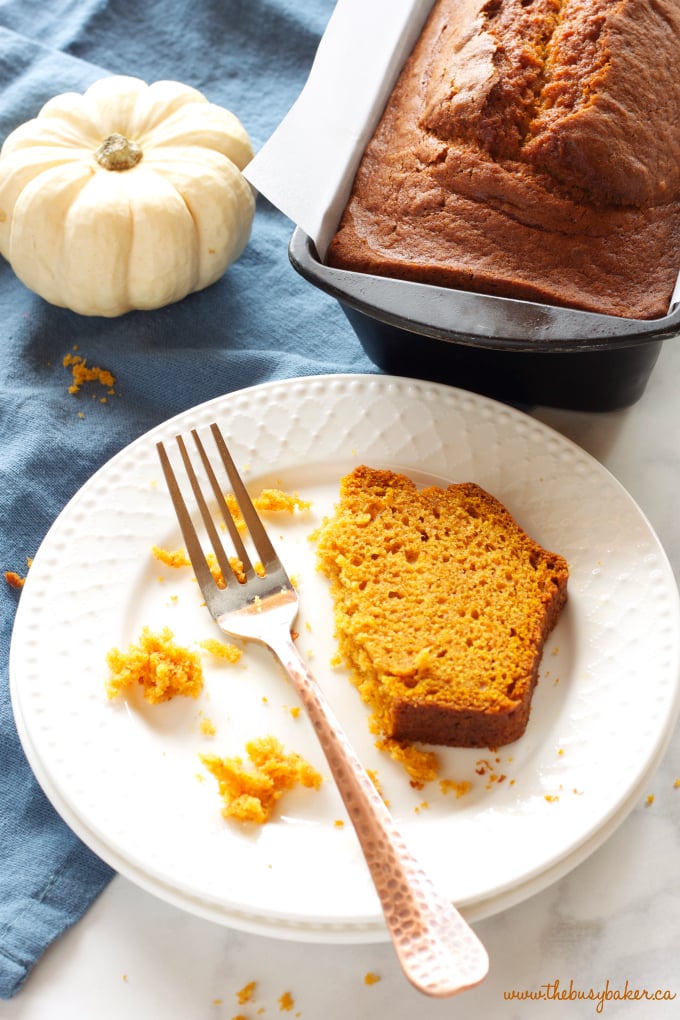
[443,606]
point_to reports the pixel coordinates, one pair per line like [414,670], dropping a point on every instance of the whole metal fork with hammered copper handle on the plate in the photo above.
[439,952]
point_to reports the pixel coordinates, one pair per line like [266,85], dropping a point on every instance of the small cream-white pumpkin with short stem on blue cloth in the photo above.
[127,197]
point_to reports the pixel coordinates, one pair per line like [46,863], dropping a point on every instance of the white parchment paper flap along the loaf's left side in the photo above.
[307,168]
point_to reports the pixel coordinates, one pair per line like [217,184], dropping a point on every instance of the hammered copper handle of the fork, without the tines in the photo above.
[439,952]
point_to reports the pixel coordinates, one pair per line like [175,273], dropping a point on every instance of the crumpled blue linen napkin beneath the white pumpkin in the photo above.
[261,322]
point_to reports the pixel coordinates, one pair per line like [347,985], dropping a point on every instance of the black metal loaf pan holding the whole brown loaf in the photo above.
[515,351]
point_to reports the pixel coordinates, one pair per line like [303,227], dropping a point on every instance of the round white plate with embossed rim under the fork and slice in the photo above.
[126,777]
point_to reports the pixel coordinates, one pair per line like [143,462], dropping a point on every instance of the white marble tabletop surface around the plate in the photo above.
[612,925]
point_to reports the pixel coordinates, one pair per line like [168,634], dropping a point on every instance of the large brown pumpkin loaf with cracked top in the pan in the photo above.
[531,149]
